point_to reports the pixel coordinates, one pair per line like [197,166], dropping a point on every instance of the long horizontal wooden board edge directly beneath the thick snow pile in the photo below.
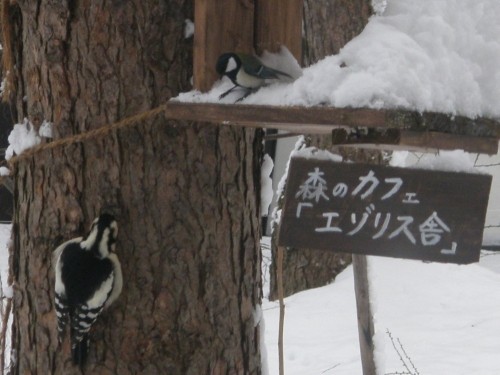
[322,120]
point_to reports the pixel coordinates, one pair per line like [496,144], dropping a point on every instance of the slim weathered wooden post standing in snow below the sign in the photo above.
[365,317]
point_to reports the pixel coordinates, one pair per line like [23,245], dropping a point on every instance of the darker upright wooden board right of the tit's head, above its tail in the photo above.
[278,22]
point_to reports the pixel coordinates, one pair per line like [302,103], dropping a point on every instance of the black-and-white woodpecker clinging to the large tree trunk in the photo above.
[88,279]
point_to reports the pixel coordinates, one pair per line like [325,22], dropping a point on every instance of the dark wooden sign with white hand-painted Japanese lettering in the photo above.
[387,211]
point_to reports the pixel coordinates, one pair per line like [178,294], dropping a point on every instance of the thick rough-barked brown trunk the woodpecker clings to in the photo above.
[184,194]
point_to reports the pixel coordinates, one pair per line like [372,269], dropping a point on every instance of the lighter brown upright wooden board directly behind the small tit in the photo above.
[220,26]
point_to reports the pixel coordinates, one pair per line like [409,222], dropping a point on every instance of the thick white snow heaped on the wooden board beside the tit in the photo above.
[428,55]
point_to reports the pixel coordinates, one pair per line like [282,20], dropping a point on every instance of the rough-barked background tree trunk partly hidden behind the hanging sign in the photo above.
[328,26]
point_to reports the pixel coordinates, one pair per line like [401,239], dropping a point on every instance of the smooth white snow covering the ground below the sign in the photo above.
[445,317]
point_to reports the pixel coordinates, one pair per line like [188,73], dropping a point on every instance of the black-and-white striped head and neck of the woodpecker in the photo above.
[102,235]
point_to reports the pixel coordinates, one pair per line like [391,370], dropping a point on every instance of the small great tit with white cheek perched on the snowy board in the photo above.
[245,71]
